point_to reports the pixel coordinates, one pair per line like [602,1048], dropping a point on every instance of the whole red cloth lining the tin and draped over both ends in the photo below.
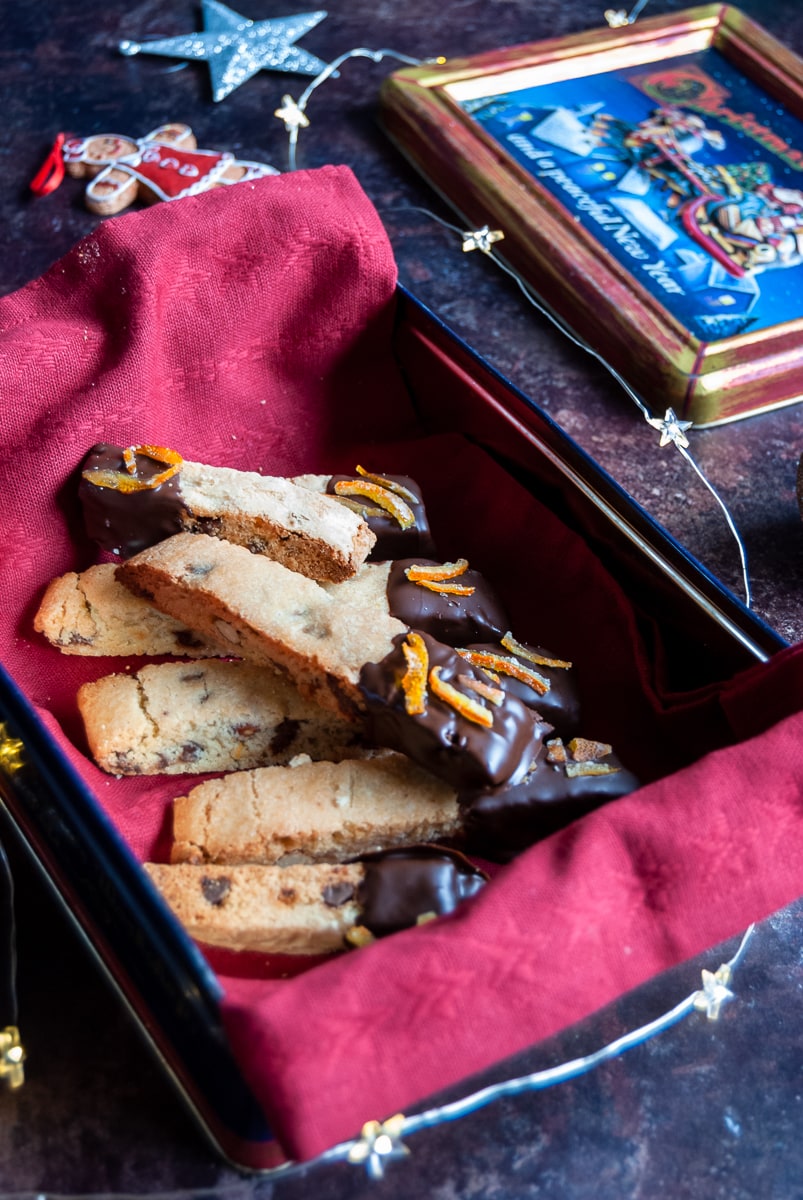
[251,327]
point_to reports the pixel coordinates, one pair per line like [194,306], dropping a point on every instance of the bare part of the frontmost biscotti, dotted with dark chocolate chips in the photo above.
[272,910]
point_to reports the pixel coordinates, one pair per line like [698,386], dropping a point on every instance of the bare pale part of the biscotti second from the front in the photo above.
[315,812]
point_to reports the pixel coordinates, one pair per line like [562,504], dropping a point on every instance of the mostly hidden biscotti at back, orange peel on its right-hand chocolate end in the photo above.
[392,506]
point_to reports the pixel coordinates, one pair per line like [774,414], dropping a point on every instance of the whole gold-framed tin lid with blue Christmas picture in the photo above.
[649,183]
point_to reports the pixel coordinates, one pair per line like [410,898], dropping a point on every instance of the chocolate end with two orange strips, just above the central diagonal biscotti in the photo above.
[454,620]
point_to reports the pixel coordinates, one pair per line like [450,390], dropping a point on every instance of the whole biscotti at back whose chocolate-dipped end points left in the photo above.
[136,497]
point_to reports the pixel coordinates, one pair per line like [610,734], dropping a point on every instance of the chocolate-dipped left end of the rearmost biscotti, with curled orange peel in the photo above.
[127,523]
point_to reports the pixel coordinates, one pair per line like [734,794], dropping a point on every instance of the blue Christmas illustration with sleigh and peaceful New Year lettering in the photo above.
[686,172]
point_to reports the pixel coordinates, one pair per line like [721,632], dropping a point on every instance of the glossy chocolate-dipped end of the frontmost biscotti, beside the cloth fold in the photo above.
[404,885]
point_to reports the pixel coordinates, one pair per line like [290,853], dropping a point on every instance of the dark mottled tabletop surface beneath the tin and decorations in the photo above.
[708,1111]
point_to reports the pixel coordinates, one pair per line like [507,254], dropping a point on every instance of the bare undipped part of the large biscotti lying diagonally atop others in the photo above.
[261,611]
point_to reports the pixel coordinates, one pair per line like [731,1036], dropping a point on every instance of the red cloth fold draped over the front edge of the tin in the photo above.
[594,911]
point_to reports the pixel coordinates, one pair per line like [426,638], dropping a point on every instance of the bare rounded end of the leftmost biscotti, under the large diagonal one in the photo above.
[92,614]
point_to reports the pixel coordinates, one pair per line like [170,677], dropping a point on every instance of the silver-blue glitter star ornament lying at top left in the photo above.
[236,49]
